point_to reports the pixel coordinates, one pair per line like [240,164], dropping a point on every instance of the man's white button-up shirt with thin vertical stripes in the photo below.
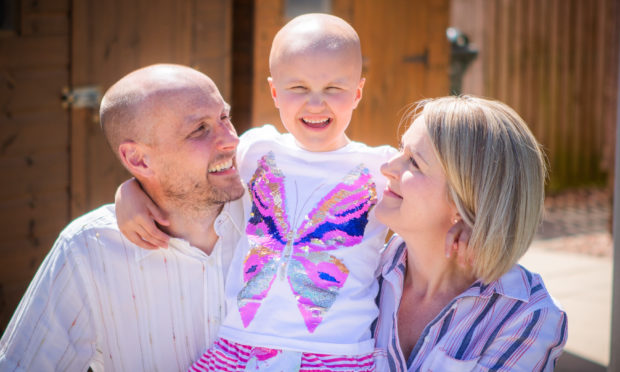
[98,300]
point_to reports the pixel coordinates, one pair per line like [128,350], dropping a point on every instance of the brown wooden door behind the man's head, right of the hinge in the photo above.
[113,37]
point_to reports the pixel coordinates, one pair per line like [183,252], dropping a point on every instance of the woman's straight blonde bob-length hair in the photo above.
[495,171]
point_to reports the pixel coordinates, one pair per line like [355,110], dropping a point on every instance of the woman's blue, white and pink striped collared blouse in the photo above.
[511,324]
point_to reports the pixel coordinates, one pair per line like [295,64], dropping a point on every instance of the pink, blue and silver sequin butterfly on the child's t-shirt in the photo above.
[301,256]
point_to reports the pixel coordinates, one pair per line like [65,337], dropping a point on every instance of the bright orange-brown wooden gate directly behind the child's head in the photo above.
[405,52]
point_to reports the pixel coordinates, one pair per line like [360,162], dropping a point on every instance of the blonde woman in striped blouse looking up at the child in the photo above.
[475,160]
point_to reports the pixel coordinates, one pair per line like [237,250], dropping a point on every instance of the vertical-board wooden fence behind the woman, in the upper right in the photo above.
[556,63]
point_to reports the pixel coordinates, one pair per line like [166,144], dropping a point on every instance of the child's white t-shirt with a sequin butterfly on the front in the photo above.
[305,279]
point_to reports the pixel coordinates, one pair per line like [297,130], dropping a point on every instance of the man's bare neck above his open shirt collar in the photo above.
[195,226]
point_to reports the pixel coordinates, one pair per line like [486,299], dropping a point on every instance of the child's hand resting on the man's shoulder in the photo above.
[136,215]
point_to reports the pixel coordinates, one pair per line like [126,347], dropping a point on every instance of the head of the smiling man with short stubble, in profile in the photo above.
[171,129]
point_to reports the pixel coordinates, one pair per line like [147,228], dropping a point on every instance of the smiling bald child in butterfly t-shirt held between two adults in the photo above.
[300,290]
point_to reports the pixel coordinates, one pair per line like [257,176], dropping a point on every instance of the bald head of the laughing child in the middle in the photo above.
[316,83]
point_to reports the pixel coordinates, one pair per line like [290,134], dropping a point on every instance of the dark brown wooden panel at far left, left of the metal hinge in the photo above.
[34,132]
